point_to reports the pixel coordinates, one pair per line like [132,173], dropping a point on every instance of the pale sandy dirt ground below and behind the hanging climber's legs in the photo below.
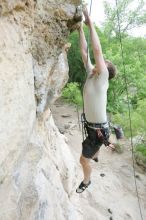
[112,193]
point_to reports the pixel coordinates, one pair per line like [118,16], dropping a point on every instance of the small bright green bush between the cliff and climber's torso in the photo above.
[72,94]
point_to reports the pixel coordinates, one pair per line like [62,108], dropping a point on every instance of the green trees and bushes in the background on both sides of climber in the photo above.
[134,63]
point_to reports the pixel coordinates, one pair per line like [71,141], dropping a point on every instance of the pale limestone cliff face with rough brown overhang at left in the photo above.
[35,162]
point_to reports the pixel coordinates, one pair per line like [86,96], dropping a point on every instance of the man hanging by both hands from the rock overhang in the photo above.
[95,100]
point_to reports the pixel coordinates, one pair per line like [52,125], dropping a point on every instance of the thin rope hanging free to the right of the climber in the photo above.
[129,110]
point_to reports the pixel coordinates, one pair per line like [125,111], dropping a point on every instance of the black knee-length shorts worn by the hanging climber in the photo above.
[92,143]
